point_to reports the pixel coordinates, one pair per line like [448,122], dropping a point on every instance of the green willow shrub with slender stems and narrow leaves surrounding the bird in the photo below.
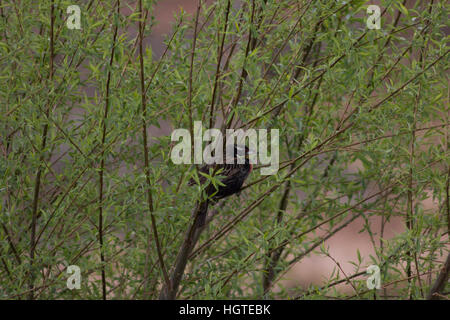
[77,188]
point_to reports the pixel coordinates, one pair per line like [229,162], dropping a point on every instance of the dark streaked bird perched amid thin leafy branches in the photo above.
[234,174]
